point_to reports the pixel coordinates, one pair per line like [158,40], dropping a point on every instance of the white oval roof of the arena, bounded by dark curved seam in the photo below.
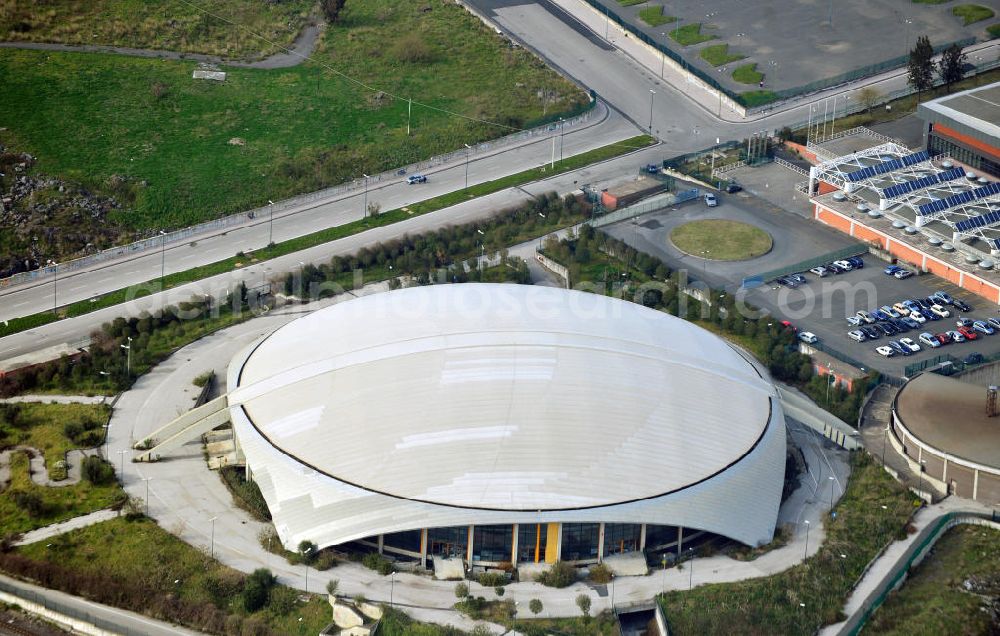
[504,397]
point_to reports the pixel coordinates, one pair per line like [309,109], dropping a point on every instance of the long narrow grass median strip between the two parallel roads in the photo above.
[324,236]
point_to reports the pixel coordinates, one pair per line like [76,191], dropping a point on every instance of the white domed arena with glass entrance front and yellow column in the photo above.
[506,424]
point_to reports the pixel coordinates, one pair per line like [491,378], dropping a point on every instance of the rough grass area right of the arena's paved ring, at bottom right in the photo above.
[872,513]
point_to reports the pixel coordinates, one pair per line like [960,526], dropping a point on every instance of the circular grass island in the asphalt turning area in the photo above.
[721,240]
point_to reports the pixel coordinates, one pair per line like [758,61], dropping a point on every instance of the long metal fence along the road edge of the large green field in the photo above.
[159,241]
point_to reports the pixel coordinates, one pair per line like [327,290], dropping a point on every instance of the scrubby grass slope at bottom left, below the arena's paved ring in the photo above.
[161,576]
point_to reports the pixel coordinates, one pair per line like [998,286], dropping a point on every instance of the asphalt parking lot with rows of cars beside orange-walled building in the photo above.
[822,305]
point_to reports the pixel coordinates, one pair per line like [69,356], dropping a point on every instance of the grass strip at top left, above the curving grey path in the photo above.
[171,25]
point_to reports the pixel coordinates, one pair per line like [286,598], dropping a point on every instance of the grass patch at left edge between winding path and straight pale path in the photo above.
[56,504]
